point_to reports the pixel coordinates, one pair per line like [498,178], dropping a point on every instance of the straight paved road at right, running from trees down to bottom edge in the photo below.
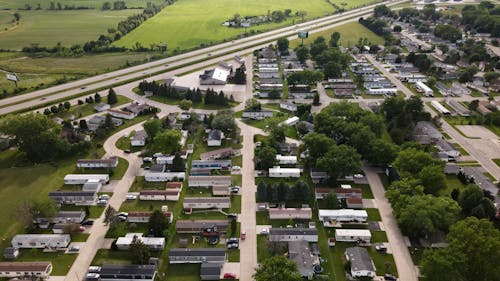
[406,268]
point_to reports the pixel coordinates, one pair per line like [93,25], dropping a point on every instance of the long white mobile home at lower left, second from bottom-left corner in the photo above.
[41,241]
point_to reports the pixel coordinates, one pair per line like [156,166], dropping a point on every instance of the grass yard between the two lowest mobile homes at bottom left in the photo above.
[61,262]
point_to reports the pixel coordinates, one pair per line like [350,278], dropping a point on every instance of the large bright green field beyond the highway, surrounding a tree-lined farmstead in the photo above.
[189,23]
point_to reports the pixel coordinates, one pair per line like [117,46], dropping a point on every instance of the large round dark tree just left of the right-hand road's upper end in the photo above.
[340,161]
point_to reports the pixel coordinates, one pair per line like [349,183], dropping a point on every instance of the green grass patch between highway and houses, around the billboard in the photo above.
[349,35]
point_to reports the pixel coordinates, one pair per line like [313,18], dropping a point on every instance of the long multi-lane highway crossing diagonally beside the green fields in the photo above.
[209,55]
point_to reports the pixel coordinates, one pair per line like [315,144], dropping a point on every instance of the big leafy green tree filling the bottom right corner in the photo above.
[473,253]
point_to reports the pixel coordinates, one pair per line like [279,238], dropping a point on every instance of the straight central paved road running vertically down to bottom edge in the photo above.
[248,248]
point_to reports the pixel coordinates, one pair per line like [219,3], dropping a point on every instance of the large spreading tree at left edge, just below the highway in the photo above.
[36,135]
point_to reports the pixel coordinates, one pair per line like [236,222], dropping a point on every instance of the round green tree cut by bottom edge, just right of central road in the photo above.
[277,268]
